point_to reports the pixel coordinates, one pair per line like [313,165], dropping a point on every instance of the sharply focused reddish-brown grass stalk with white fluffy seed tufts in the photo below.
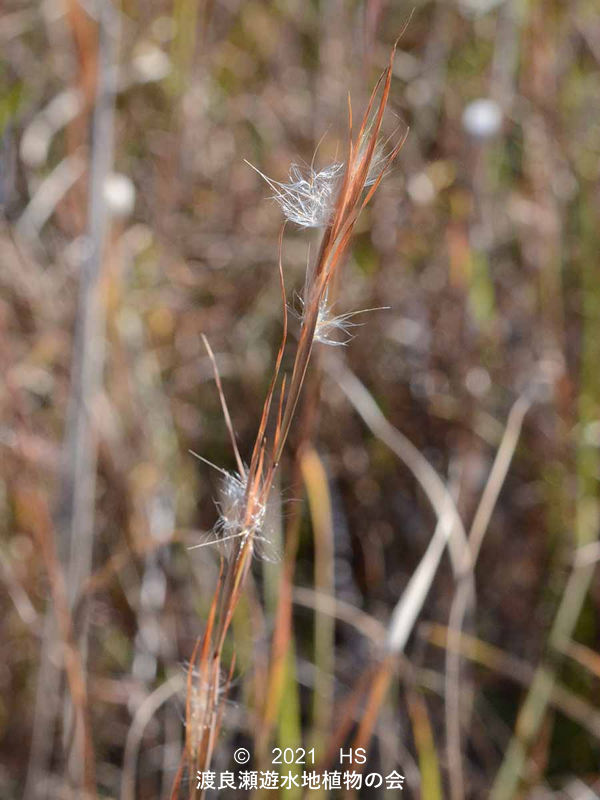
[364,169]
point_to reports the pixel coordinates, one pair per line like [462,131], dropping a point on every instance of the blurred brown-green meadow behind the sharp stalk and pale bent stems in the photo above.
[130,225]
